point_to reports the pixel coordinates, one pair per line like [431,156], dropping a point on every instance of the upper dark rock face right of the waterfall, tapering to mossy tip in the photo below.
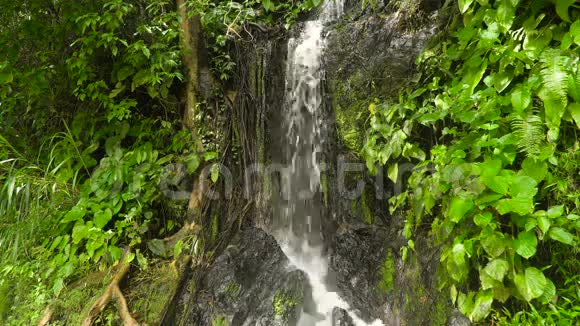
[371,55]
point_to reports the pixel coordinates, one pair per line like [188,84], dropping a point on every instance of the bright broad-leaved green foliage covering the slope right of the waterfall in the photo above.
[493,179]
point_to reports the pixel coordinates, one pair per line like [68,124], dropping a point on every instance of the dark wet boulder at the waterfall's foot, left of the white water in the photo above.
[248,284]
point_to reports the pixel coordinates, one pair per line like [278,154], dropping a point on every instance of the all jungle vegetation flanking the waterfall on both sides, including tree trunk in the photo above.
[100,100]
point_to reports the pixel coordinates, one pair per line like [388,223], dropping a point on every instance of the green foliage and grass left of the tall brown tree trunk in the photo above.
[87,131]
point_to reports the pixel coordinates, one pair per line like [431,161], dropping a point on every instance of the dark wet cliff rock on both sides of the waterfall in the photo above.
[370,54]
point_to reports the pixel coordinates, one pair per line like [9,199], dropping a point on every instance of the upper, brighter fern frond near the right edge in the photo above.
[555,75]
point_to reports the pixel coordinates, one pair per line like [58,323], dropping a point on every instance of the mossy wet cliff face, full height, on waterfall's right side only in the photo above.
[371,55]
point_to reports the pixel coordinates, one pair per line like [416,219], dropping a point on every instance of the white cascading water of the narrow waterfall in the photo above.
[298,226]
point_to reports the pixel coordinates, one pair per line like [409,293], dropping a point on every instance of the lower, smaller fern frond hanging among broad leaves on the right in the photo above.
[530,134]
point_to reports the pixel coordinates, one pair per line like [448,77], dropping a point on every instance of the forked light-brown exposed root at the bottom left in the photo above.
[113,291]
